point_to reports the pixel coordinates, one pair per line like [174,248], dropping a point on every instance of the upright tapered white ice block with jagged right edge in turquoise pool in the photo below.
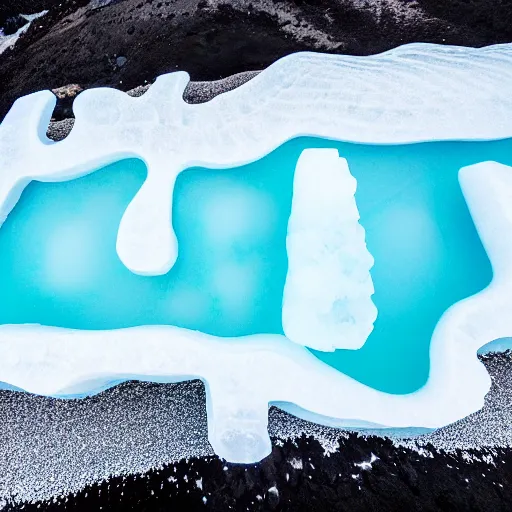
[327,296]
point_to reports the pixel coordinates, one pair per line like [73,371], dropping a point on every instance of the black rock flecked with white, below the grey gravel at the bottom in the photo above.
[299,477]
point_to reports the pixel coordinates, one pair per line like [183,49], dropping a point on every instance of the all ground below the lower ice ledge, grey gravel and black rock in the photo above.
[57,448]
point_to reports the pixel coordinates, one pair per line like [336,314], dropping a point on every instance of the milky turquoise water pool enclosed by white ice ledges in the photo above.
[59,267]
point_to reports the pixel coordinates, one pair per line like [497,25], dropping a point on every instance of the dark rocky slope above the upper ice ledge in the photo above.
[128,43]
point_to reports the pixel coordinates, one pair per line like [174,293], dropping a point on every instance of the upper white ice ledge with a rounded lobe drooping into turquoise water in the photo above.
[413,93]
